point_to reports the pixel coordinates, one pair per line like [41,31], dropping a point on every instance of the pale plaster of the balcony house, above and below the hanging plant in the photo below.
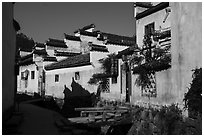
[163,78]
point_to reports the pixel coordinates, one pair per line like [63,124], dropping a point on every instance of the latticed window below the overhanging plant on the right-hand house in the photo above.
[150,89]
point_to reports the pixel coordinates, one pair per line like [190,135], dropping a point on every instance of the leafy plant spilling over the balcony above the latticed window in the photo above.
[150,61]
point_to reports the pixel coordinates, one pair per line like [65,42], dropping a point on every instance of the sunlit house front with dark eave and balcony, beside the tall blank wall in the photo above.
[154,19]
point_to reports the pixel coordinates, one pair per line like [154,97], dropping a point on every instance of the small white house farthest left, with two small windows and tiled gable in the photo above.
[31,75]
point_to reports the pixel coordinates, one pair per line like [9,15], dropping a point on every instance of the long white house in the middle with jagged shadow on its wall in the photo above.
[94,45]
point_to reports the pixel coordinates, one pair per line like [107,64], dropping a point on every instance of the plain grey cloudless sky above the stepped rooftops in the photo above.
[41,21]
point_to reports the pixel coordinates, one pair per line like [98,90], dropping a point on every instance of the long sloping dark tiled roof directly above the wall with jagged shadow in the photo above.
[79,60]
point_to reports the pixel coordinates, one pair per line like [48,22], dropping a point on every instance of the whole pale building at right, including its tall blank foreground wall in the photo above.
[173,24]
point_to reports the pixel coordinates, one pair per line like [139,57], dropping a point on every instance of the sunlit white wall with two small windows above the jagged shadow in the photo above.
[65,78]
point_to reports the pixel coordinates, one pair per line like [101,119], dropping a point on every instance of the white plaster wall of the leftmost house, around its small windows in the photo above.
[32,83]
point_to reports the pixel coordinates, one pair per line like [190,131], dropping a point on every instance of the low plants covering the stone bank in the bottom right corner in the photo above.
[164,121]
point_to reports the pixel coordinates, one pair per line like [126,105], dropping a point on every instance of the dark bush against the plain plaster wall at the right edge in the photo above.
[193,98]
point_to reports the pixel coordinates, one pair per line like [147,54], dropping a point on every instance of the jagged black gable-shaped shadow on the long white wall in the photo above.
[75,98]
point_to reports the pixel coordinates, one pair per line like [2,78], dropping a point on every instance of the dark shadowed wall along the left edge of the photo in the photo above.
[8,61]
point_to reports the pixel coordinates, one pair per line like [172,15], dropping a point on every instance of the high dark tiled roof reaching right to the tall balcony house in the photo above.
[117,39]
